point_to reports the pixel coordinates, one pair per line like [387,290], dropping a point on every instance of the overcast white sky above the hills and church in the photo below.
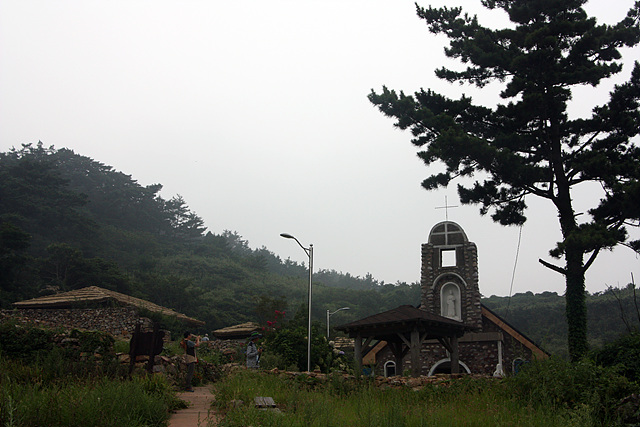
[256,112]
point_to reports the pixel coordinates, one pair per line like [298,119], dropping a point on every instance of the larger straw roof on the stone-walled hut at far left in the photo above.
[95,294]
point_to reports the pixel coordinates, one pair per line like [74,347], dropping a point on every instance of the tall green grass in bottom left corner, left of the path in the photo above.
[54,391]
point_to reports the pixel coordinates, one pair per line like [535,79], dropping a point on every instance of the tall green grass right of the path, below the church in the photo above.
[338,402]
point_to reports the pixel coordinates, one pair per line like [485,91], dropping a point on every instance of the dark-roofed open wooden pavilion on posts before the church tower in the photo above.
[405,329]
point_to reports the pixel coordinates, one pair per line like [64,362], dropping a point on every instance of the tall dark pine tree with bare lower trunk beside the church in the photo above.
[529,145]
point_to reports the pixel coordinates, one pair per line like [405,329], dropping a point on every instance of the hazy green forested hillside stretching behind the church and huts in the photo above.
[68,221]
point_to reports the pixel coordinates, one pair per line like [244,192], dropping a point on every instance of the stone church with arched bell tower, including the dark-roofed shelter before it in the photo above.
[450,324]
